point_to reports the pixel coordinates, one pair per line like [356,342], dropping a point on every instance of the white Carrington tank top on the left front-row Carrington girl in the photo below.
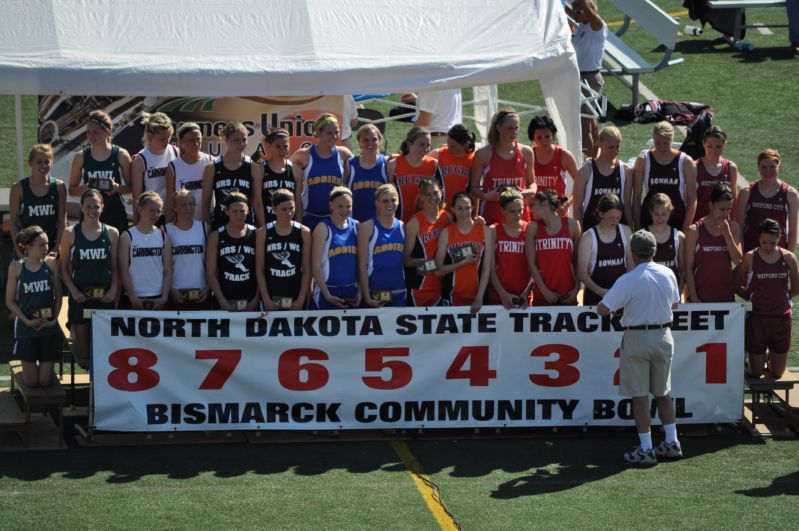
[146,262]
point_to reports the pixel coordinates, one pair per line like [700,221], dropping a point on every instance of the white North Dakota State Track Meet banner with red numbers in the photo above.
[397,368]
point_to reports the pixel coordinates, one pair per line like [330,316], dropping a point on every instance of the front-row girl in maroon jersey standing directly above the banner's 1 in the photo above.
[711,244]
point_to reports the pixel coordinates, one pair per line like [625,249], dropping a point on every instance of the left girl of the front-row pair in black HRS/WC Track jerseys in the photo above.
[230,259]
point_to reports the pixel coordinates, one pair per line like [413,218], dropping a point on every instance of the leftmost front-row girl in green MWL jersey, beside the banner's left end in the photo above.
[33,295]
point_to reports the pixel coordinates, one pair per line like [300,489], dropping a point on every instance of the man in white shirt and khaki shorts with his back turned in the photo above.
[647,294]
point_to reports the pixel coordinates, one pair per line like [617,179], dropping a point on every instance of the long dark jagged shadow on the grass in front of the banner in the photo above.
[561,465]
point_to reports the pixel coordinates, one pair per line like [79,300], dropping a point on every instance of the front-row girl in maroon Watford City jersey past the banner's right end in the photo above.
[772,279]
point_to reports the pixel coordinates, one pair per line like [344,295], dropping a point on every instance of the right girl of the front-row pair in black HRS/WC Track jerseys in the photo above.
[283,256]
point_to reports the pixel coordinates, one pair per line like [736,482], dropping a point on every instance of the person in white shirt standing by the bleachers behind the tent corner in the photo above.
[589,45]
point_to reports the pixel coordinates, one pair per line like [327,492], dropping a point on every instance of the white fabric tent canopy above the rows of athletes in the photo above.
[288,48]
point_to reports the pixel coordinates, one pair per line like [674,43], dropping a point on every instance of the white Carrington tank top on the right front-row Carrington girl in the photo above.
[188,256]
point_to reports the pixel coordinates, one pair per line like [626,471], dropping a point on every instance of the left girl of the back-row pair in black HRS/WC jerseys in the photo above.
[232,172]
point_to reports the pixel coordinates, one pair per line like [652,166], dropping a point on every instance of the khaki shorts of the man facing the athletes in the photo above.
[645,365]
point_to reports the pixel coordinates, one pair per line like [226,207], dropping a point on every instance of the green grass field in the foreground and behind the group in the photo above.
[725,481]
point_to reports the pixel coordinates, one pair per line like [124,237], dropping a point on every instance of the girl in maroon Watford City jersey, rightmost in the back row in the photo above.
[769,197]
